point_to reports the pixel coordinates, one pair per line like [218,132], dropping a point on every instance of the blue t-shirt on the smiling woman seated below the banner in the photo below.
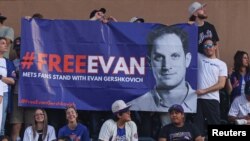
[80,133]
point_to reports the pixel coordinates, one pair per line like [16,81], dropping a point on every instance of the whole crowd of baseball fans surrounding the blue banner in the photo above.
[31,124]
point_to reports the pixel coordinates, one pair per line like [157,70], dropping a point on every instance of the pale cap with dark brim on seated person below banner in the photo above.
[119,106]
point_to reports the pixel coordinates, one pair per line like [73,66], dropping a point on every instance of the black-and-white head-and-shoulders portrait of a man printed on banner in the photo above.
[169,58]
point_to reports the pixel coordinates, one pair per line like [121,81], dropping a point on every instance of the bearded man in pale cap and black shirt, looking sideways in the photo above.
[205,29]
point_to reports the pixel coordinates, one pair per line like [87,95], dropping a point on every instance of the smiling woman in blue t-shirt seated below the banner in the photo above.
[76,131]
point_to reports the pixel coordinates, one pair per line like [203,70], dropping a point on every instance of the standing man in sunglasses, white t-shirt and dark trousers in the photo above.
[212,74]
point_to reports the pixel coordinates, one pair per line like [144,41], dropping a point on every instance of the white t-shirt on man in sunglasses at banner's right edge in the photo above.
[209,71]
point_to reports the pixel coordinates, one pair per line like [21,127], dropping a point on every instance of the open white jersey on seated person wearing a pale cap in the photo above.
[108,131]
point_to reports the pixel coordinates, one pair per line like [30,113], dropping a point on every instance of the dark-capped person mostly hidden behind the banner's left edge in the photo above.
[19,115]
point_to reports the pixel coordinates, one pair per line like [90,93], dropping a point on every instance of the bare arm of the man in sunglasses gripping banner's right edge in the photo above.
[219,85]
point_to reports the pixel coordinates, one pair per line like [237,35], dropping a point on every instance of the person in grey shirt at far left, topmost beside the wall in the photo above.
[6,32]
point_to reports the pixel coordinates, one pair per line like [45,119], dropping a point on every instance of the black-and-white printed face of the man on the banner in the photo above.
[168,61]
